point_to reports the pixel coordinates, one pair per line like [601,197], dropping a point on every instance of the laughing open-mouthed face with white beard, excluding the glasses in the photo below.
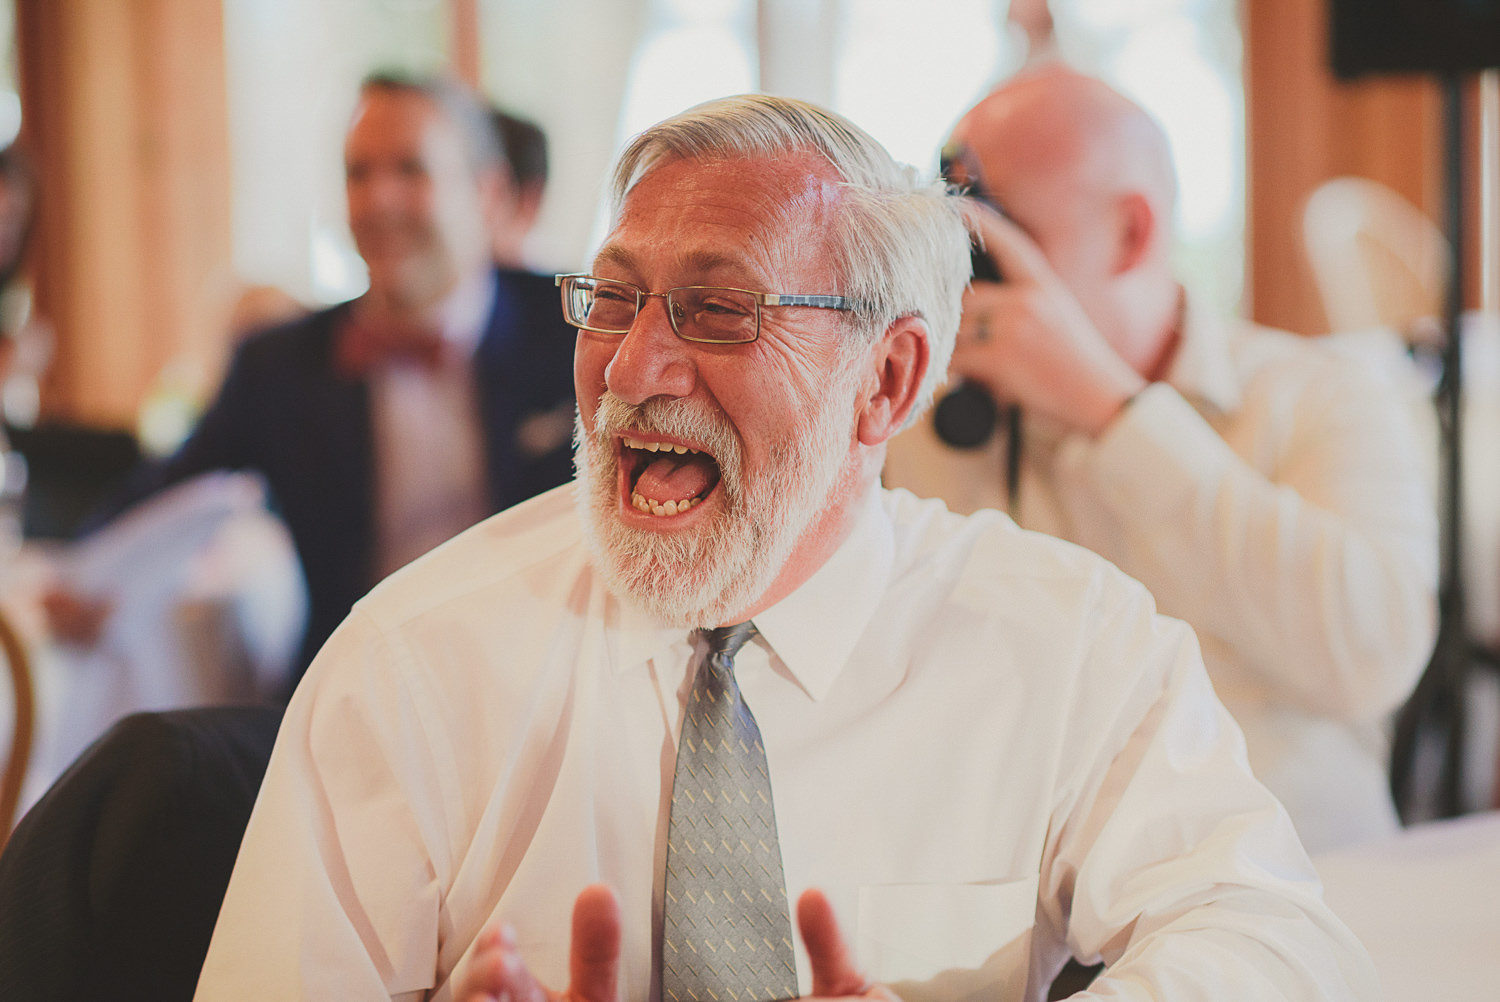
[712,472]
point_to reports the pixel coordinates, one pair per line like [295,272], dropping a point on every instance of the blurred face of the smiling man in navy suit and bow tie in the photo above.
[416,209]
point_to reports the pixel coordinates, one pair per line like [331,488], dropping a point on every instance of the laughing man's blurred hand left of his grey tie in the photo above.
[497,973]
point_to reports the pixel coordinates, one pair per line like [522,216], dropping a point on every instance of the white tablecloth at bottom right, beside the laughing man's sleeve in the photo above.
[1427,907]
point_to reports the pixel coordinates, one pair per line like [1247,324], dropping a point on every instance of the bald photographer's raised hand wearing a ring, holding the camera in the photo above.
[1030,343]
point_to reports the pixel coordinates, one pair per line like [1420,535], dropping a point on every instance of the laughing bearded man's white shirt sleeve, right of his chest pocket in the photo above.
[1166,859]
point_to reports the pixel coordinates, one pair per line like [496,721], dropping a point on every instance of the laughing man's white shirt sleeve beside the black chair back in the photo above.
[337,892]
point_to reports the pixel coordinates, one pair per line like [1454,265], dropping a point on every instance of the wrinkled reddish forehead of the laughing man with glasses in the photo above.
[781,211]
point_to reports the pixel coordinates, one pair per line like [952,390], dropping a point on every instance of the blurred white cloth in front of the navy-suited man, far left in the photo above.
[206,604]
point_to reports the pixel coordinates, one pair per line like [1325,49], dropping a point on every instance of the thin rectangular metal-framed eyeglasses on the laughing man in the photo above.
[698,313]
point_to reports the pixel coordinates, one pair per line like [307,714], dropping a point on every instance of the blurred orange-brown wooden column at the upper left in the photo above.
[125,109]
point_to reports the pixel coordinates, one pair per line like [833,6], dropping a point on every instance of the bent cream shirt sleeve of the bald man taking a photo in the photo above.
[1321,575]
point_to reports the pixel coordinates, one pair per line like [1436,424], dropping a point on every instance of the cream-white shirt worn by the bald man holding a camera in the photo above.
[1273,494]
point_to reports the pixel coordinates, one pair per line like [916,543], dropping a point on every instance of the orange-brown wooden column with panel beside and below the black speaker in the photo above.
[1306,127]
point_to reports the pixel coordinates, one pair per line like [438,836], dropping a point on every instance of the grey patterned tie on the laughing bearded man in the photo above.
[727,935]
